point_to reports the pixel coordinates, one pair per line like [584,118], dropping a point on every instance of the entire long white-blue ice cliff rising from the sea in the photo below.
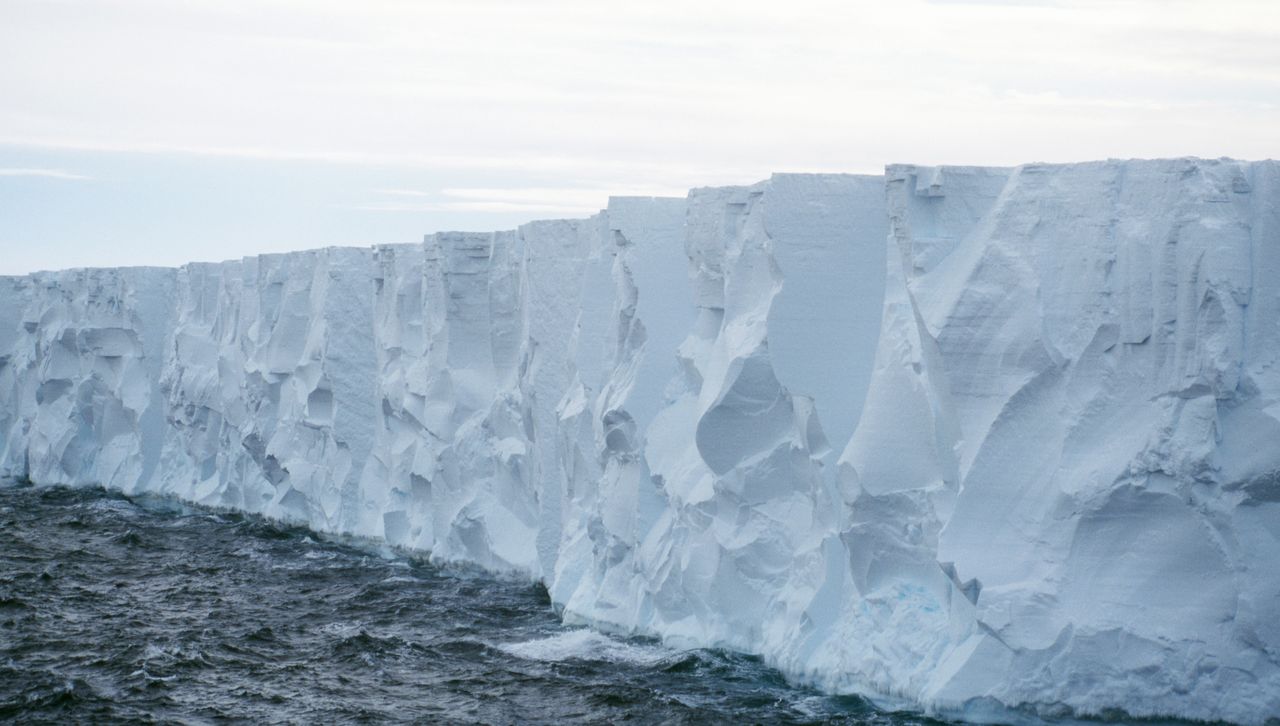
[1023,456]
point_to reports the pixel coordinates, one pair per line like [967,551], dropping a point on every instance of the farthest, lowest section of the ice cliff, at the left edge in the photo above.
[81,354]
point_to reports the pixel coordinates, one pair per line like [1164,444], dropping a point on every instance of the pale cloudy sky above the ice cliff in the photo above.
[156,133]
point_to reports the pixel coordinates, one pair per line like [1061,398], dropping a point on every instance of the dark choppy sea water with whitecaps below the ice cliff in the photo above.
[121,610]
